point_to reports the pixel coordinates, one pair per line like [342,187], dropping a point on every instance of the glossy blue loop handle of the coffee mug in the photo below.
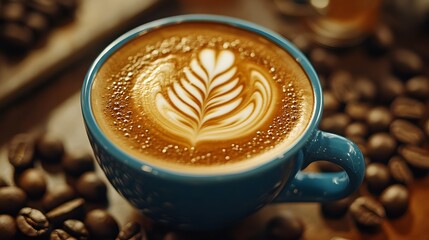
[319,187]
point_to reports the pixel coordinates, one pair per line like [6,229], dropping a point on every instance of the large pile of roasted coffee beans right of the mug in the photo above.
[386,116]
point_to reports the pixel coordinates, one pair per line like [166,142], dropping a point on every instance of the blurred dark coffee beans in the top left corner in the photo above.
[24,24]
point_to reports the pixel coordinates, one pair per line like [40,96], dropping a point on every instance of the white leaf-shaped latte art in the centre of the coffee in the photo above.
[214,100]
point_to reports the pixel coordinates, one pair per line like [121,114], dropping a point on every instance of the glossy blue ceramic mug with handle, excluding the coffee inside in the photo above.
[209,201]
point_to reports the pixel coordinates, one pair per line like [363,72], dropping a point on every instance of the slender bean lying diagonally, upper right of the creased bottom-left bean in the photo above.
[74,209]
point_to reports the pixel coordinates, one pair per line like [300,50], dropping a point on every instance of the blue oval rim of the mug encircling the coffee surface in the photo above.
[93,127]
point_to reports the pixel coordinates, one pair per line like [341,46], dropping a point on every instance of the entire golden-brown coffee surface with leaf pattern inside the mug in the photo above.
[201,94]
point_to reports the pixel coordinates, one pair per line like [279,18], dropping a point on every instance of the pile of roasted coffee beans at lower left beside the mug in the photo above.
[75,208]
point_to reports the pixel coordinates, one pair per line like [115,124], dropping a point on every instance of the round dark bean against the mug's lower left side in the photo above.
[91,187]
